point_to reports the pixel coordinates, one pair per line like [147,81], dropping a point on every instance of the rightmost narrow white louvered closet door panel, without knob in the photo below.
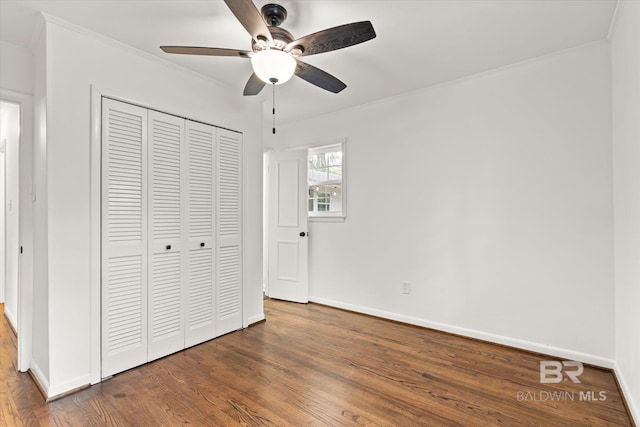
[229,220]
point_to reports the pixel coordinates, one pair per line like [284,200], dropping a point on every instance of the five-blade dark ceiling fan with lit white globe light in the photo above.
[274,51]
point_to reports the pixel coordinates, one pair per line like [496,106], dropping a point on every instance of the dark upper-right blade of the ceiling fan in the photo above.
[334,38]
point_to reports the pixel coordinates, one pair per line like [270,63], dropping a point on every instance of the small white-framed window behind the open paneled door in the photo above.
[326,190]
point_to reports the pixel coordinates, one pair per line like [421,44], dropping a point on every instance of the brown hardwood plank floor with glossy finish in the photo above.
[314,365]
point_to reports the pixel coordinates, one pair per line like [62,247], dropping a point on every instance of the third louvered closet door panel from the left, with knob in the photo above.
[200,320]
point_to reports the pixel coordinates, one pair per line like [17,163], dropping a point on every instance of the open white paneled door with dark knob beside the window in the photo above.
[288,240]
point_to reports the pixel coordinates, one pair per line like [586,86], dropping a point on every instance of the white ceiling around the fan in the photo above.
[419,42]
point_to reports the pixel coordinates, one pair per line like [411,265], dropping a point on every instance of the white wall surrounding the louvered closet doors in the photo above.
[75,61]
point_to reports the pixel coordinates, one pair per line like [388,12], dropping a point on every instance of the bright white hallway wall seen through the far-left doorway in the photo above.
[10,133]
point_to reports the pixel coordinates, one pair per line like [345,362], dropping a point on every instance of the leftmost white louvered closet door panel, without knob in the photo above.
[124,236]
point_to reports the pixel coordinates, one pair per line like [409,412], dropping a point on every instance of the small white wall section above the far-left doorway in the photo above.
[16,68]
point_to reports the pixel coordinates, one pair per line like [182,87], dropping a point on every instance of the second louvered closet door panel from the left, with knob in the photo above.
[167,246]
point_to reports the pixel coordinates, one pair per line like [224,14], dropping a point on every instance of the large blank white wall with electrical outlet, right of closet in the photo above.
[490,195]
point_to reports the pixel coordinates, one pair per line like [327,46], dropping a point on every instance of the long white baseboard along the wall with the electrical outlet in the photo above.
[498,339]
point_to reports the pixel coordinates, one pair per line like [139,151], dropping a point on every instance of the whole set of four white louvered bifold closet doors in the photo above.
[171,234]
